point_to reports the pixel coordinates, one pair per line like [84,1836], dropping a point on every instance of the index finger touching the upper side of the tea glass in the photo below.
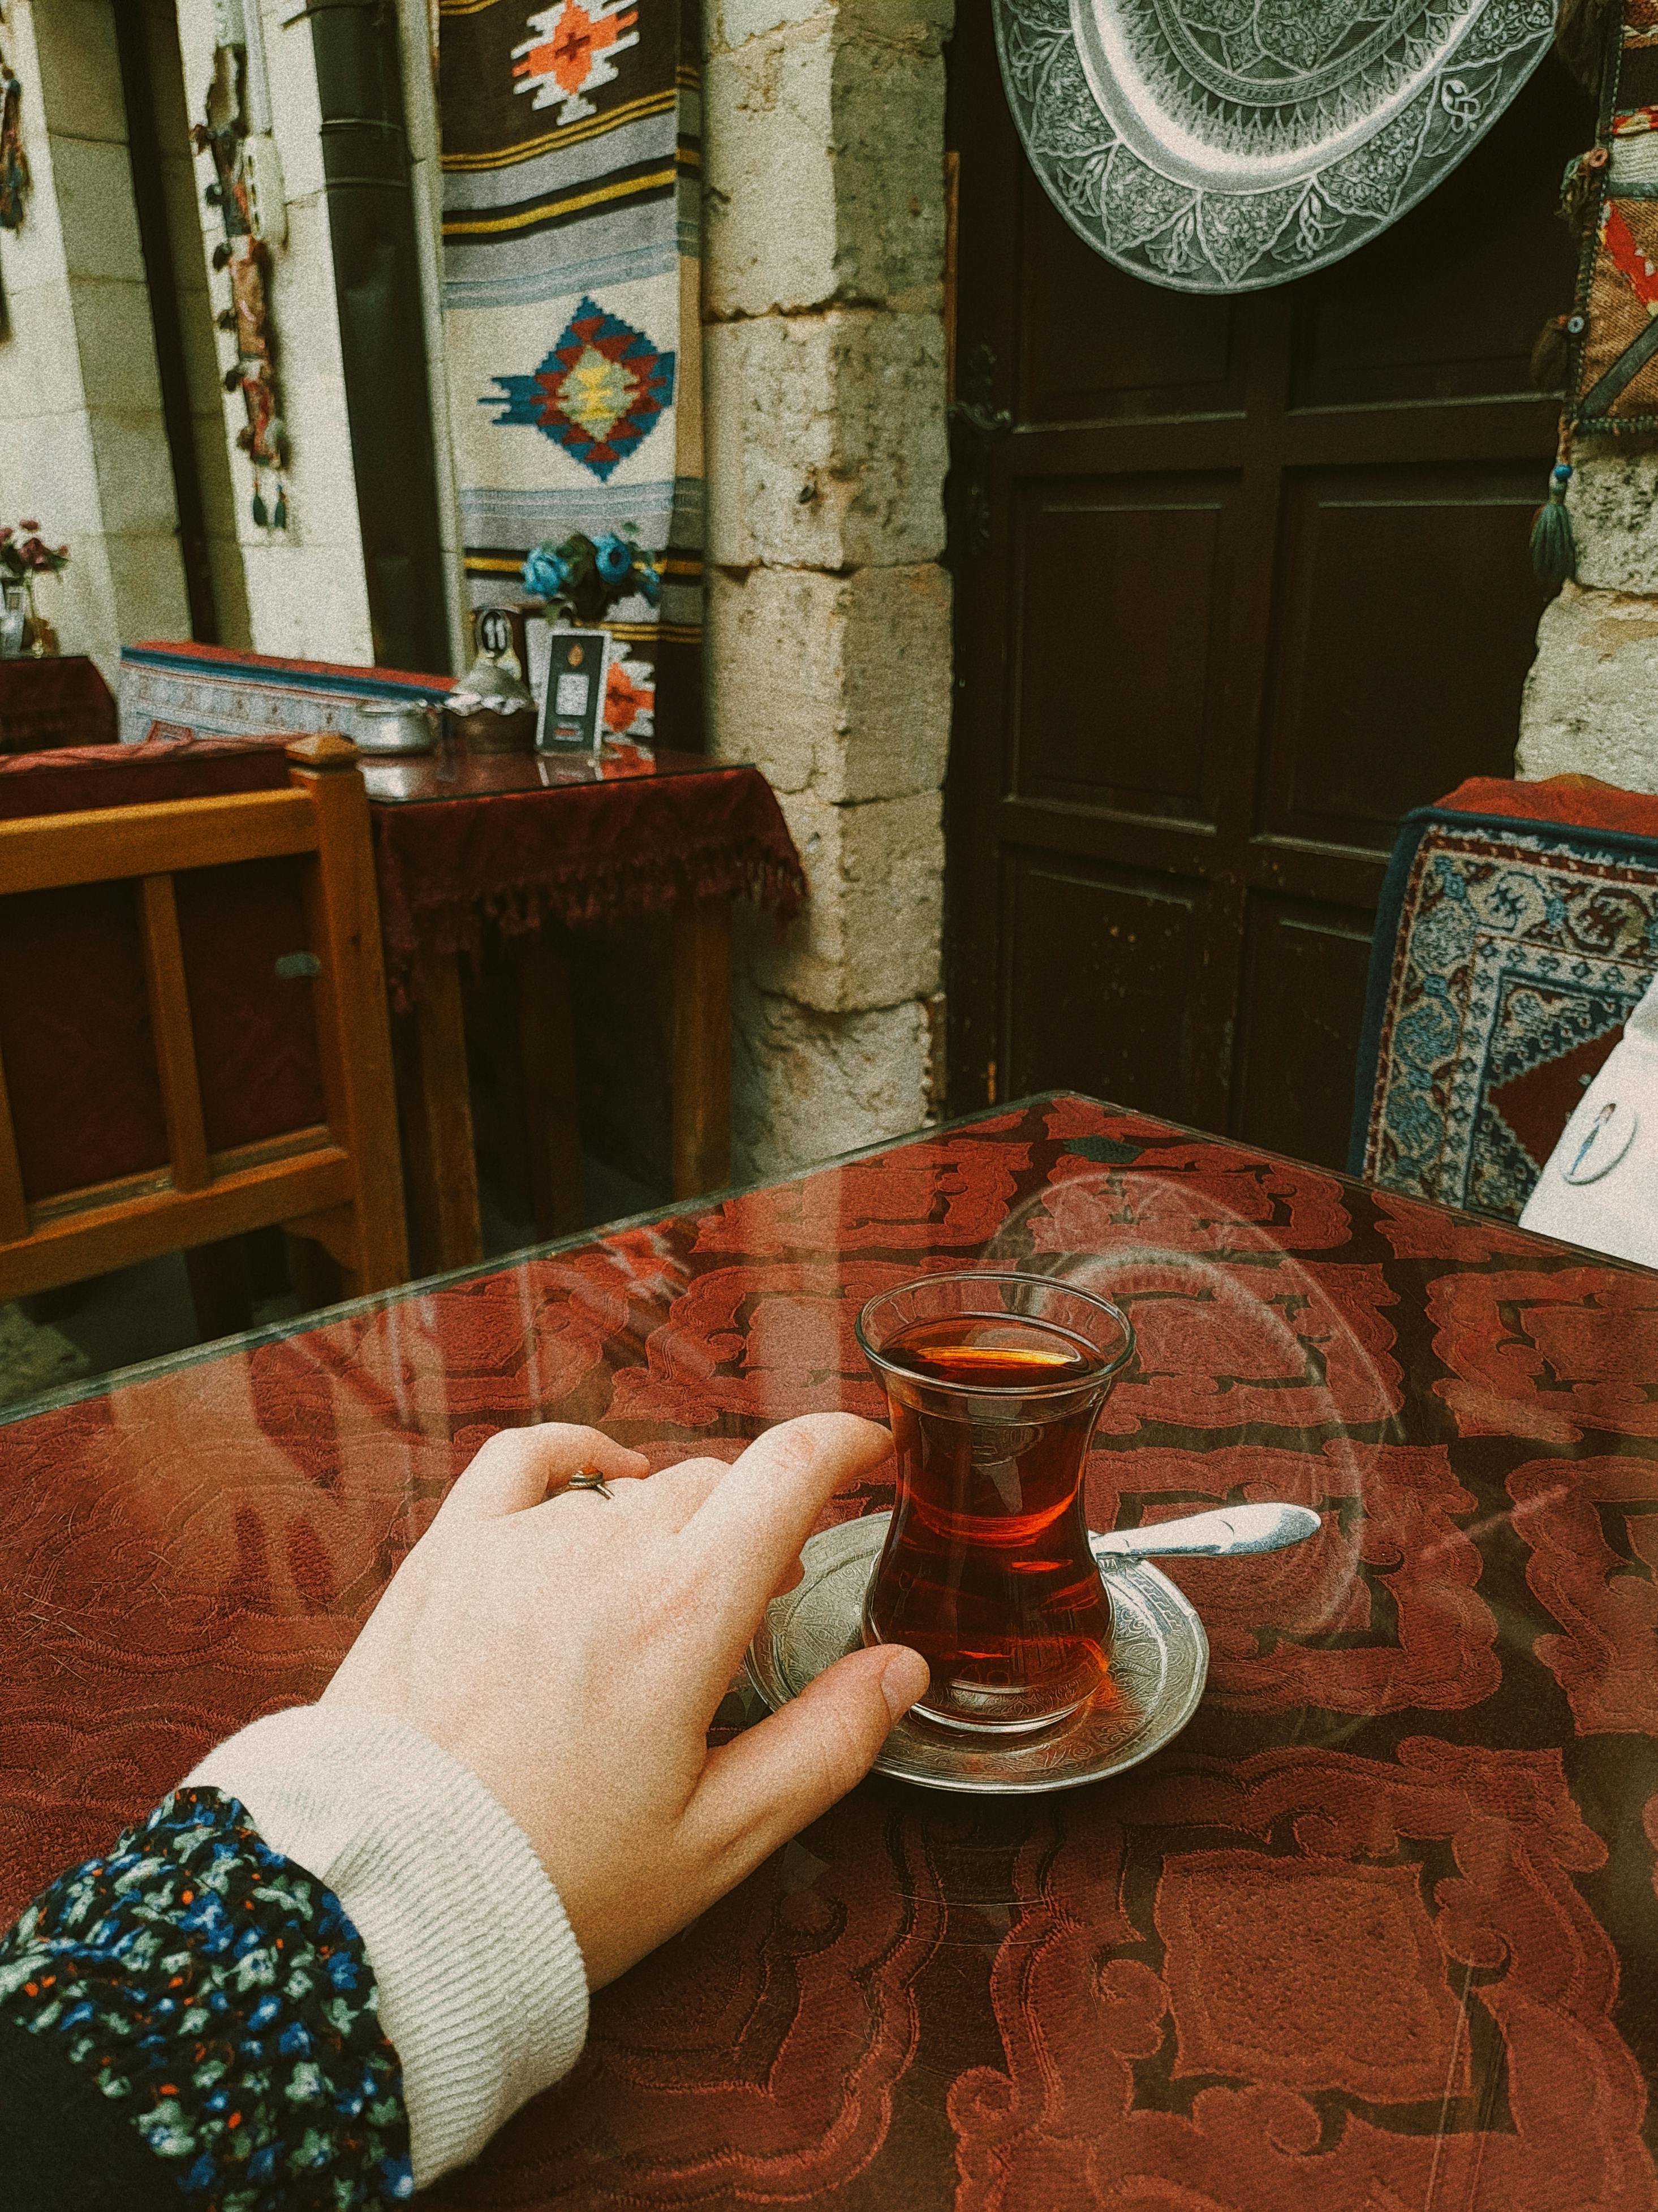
[755,1521]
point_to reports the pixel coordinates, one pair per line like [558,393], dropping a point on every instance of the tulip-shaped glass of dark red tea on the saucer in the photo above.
[994,1384]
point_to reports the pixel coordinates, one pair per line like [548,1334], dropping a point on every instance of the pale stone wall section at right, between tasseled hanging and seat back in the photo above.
[1593,696]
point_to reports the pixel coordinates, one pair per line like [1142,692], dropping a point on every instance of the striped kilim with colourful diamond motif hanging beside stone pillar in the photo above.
[571,304]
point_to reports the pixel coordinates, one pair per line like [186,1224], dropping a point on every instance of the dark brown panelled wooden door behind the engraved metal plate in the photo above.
[1257,583]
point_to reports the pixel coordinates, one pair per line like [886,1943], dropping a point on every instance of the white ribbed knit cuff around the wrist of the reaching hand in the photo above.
[483,1990]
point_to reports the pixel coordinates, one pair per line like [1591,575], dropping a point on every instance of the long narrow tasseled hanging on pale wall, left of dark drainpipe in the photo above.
[244,253]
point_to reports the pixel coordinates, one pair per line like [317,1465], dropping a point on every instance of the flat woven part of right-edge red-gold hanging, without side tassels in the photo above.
[1615,364]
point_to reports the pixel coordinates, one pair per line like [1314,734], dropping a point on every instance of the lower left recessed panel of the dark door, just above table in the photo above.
[1089,957]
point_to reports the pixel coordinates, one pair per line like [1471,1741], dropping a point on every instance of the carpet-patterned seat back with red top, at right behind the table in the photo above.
[1518,930]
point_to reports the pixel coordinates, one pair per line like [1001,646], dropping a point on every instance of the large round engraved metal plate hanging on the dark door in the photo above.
[1230,145]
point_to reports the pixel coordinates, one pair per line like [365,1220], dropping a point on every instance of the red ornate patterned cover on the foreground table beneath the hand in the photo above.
[1376,1934]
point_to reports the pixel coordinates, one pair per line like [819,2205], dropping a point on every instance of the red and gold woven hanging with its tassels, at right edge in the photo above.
[1604,355]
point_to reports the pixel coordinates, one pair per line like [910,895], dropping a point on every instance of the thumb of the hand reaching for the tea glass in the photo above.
[793,1768]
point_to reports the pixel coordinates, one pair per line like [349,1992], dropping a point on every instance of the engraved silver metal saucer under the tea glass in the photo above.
[1159,1665]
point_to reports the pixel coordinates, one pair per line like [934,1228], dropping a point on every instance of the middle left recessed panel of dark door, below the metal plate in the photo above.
[1089,691]
